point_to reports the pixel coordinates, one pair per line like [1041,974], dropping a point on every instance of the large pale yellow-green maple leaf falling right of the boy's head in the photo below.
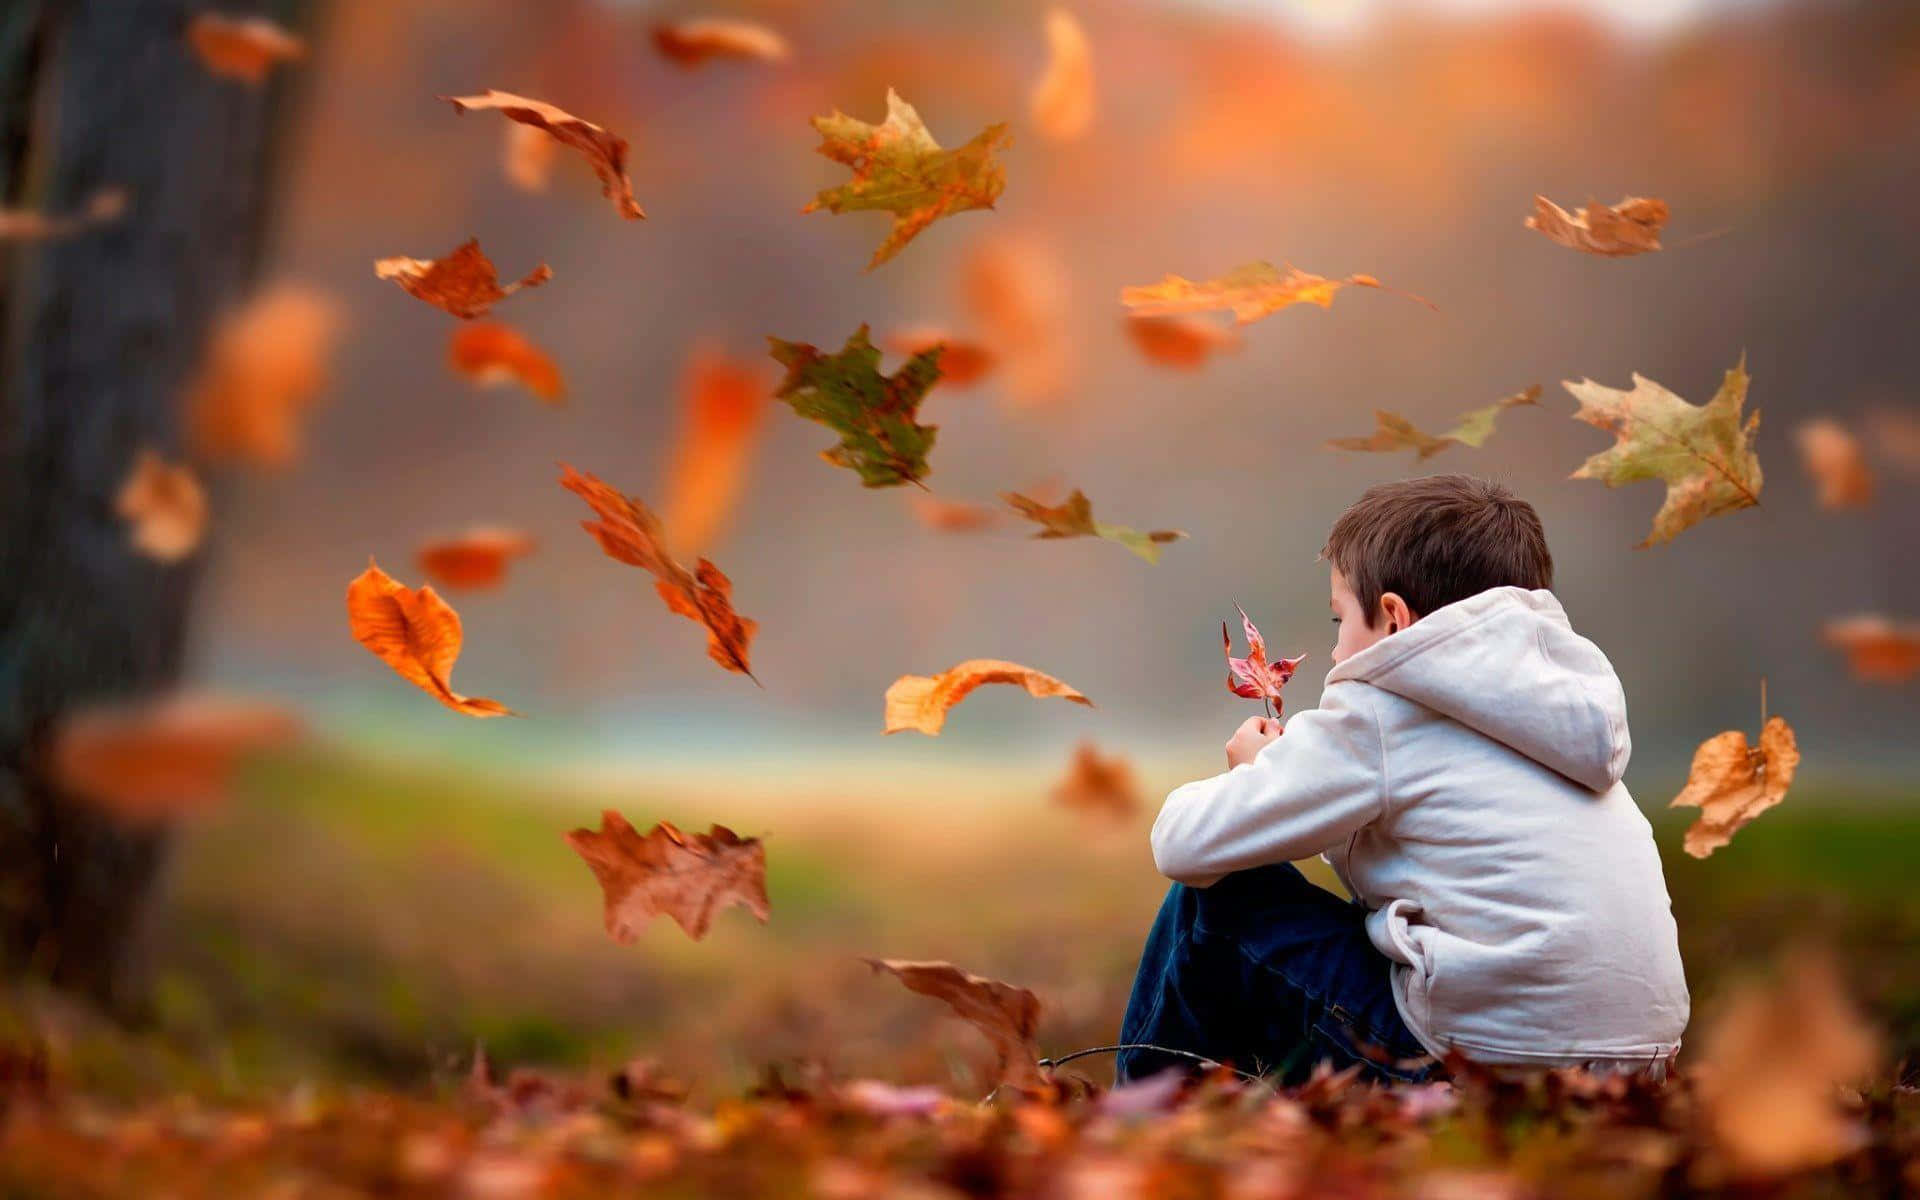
[1704,454]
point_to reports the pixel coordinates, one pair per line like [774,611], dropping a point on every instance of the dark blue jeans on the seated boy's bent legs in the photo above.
[1272,974]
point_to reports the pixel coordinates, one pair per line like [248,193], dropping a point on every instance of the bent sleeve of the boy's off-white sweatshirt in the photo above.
[1307,790]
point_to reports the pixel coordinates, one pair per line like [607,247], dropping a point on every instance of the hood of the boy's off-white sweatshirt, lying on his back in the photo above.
[1510,665]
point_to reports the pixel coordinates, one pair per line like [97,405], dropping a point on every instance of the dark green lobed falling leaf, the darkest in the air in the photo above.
[873,414]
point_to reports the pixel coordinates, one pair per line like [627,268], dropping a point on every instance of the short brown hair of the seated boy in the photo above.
[1439,540]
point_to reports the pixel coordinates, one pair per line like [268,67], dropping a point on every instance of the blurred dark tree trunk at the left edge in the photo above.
[101,333]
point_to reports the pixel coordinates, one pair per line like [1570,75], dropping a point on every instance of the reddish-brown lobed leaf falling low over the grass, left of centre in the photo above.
[686,876]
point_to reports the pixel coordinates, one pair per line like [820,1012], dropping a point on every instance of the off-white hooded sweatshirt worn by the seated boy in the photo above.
[1464,779]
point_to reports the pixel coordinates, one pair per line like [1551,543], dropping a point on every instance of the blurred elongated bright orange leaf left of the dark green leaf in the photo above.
[723,406]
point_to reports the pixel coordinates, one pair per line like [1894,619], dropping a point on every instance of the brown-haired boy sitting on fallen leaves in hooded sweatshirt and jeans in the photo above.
[1464,779]
